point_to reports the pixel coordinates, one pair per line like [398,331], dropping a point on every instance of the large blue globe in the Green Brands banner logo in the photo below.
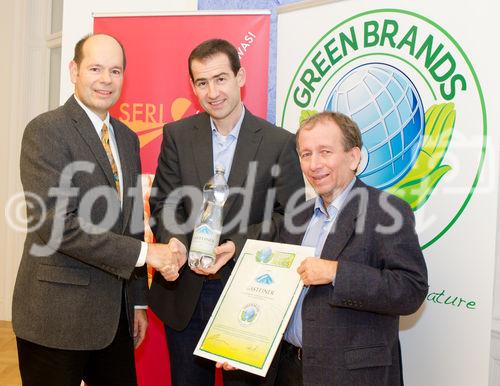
[389,112]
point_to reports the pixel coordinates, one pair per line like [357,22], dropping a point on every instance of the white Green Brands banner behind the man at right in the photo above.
[415,80]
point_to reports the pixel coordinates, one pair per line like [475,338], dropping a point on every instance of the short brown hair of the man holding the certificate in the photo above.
[351,135]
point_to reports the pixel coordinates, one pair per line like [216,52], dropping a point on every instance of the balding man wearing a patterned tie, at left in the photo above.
[82,272]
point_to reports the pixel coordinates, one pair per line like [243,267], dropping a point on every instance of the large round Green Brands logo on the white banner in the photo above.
[417,100]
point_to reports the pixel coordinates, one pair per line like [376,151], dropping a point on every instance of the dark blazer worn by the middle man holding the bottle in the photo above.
[186,160]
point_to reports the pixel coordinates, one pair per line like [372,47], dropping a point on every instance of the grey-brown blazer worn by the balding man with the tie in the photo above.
[71,298]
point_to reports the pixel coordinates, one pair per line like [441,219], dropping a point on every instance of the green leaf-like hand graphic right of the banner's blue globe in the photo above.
[417,186]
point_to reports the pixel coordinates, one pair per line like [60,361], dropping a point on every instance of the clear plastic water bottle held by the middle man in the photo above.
[208,227]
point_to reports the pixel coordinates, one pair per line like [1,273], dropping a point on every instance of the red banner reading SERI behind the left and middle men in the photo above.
[156,90]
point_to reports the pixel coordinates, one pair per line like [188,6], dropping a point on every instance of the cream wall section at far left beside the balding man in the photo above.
[23,95]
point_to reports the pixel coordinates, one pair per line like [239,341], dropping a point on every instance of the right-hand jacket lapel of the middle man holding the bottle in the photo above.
[246,148]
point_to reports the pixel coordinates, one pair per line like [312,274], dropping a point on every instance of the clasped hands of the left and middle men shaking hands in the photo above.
[167,259]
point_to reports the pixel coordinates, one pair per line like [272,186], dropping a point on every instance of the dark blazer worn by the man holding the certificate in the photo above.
[350,331]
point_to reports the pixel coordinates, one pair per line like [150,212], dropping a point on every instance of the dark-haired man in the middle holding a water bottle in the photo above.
[259,159]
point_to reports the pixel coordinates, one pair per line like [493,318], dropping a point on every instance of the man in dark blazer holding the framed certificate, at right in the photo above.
[344,329]
